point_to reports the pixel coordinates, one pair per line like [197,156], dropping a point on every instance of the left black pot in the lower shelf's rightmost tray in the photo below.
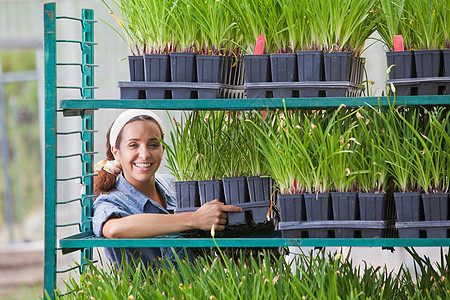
[409,207]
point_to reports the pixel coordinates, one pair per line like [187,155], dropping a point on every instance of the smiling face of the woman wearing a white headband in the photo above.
[140,152]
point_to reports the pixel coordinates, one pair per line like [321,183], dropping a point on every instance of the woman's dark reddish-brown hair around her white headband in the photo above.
[104,182]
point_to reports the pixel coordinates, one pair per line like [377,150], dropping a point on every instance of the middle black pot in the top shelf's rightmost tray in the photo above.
[428,63]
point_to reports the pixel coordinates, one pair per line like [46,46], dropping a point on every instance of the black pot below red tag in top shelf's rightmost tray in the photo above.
[404,62]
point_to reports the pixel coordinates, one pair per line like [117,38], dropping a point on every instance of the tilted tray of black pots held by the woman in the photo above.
[253,194]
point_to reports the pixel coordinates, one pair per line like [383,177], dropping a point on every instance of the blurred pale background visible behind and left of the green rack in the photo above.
[21,135]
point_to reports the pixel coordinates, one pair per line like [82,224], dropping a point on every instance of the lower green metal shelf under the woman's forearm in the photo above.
[87,239]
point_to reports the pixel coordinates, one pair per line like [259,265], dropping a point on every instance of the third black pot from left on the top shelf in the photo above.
[183,67]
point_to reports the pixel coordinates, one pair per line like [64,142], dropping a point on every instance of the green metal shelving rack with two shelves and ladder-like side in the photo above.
[85,108]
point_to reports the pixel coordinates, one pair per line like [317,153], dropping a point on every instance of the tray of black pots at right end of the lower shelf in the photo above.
[422,215]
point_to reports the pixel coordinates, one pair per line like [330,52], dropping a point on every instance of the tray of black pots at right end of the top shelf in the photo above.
[419,72]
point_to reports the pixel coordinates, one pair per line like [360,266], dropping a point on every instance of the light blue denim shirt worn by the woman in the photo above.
[126,200]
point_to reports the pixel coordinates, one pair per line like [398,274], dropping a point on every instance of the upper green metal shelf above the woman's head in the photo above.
[256,103]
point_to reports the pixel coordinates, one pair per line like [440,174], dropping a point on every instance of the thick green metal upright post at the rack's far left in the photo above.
[50,149]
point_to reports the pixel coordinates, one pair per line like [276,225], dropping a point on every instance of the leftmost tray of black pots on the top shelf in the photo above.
[183,76]
